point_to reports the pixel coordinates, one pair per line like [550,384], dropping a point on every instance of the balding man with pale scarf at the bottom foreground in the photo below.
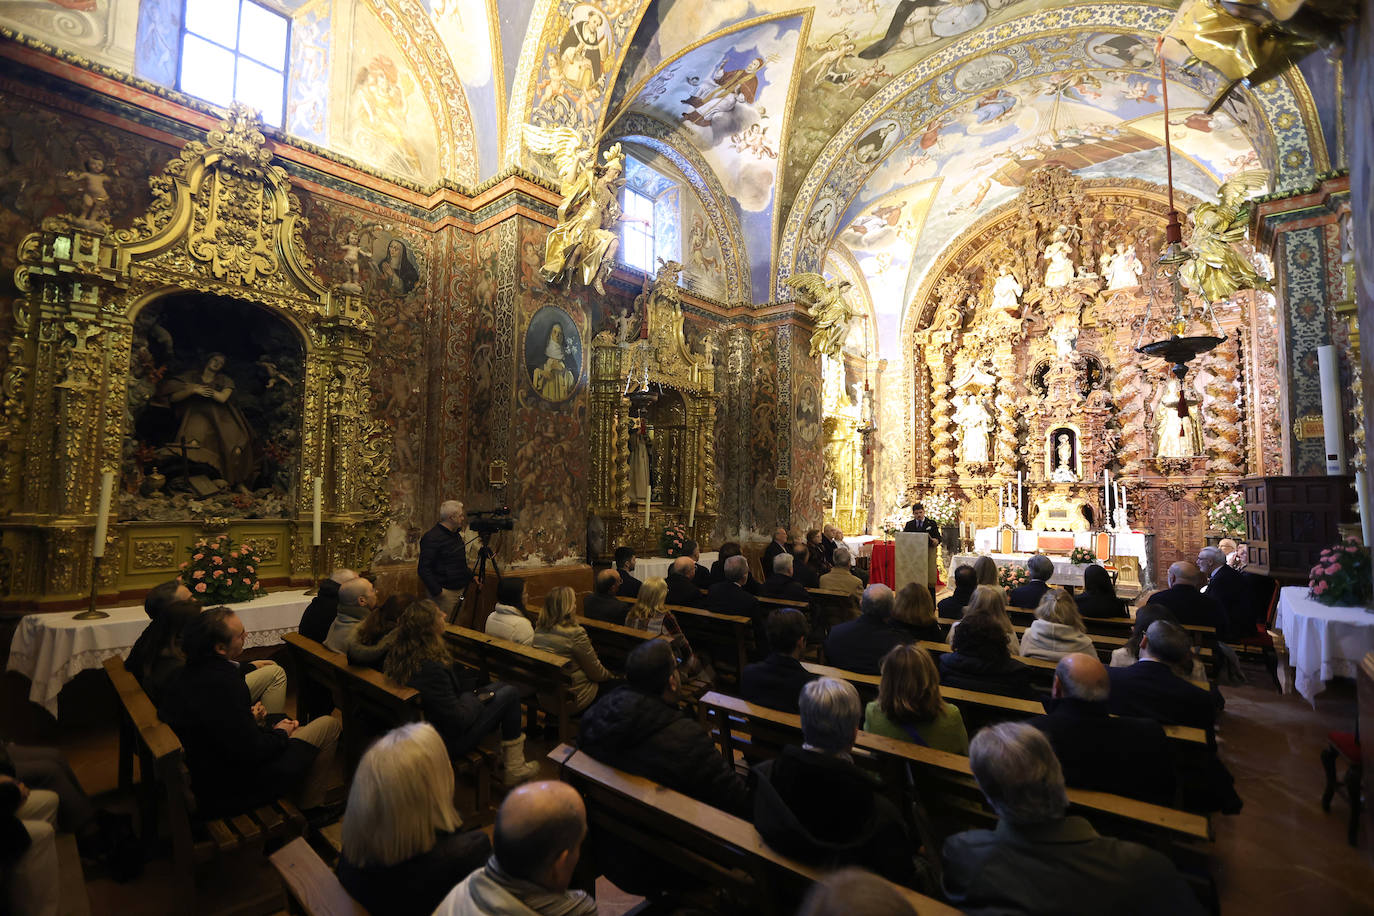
[538,841]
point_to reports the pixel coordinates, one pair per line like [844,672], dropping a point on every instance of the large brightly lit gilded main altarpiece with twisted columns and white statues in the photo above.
[1022,365]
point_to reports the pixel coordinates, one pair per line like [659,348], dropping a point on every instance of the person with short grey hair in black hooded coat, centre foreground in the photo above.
[817,805]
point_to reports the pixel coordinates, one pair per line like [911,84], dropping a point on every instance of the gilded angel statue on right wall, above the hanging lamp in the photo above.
[1218,270]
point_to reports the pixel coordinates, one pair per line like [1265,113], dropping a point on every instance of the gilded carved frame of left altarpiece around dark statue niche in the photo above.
[223,223]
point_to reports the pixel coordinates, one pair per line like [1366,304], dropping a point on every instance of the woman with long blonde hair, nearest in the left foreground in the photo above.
[403,851]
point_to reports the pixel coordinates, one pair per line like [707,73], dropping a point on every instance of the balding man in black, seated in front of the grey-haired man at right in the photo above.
[1110,755]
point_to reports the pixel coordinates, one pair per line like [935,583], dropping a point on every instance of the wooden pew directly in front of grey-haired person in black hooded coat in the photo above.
[945,783]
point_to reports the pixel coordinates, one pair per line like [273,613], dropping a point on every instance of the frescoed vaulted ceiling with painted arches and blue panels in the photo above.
[833,137]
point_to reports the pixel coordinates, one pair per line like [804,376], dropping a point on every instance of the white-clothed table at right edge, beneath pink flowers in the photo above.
[1324,642]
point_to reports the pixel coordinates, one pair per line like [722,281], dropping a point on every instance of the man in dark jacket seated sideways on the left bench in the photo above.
[237,762]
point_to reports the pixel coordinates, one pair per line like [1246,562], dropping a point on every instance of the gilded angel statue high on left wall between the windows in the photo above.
[585,244]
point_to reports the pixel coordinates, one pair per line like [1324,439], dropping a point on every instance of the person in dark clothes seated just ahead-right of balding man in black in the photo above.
[1151,689]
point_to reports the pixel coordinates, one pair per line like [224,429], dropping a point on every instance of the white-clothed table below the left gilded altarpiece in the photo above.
[53,649]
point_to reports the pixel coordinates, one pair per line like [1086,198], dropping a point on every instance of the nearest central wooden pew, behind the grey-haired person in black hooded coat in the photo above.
[722,851]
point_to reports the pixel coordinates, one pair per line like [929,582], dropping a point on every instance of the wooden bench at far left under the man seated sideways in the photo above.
[194,841]
